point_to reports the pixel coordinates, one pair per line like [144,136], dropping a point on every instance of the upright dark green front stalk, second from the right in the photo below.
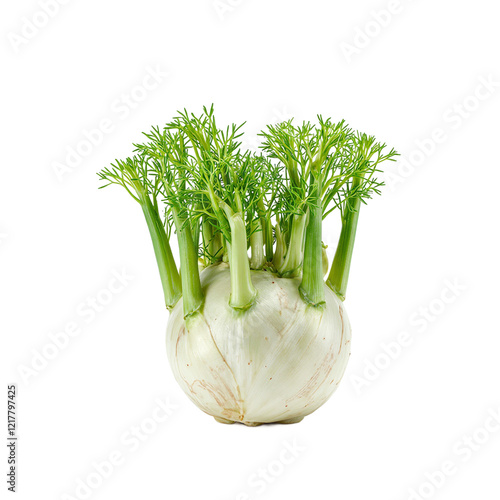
[312,287]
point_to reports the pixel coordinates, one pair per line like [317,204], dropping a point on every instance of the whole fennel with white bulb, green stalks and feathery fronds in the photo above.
[261,338]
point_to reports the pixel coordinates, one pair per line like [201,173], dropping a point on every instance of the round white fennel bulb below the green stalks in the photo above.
[278,361]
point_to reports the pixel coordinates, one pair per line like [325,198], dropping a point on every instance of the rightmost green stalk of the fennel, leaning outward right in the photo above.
[339,273]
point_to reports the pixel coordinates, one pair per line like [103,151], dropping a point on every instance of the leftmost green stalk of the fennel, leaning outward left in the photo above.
[169,274]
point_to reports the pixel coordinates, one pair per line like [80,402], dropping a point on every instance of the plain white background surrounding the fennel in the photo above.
[388,427]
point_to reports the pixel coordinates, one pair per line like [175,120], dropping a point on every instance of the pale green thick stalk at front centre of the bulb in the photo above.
[243,292]
